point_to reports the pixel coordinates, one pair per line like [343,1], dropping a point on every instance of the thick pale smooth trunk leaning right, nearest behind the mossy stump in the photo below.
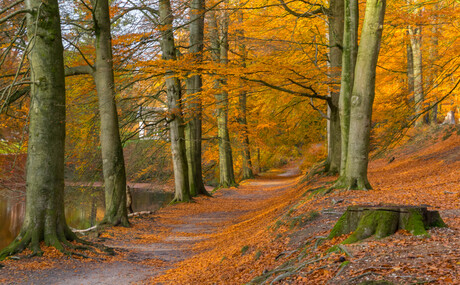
[363,96]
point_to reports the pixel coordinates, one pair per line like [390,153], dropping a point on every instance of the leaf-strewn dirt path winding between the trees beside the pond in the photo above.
[158,242]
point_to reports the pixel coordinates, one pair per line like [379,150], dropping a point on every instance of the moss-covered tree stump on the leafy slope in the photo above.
[382,221]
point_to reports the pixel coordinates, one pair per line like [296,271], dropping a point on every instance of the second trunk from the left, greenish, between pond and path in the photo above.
[113,163]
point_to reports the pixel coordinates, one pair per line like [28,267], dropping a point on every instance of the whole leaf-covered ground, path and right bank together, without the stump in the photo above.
[271,230]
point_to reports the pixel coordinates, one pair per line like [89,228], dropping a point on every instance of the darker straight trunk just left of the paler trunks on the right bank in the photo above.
[335,18]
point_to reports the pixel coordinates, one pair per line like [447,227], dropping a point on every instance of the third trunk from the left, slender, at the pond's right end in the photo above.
[176,121]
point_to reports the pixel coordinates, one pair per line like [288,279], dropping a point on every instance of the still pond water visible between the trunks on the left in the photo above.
[84,207]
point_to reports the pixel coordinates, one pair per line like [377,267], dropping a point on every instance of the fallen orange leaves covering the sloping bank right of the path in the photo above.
[427,176]
